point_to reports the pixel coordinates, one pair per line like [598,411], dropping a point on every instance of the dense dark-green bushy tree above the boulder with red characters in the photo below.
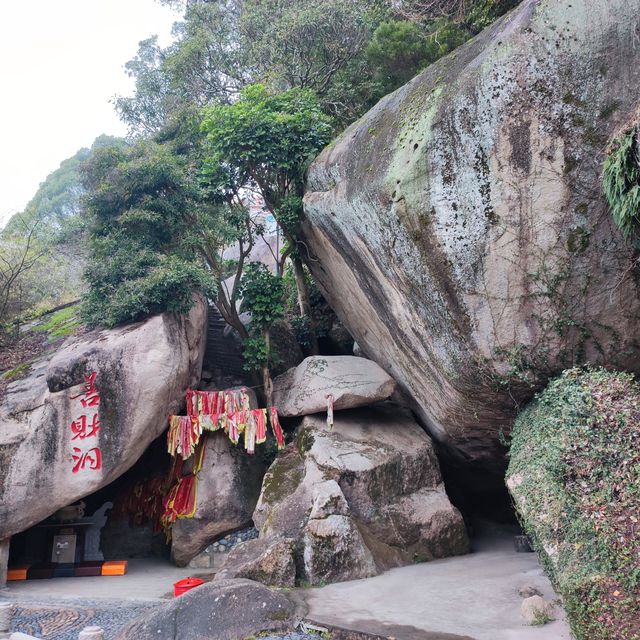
[140,262]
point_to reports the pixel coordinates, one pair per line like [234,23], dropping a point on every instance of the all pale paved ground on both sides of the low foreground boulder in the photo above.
[474,596]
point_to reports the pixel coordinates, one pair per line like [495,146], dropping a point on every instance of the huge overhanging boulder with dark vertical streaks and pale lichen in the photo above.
[459,231]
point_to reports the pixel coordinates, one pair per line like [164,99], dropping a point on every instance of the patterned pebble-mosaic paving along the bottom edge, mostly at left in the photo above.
[64,619]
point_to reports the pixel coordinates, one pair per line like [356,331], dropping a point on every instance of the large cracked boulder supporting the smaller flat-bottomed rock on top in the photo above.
[358,500]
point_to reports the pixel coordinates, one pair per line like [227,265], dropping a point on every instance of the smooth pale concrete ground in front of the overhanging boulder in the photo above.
[474,596]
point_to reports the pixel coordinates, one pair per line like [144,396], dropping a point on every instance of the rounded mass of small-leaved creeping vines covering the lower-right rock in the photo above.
[575,477]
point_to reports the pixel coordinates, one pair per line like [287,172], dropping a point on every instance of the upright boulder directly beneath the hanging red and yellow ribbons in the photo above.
[228,489]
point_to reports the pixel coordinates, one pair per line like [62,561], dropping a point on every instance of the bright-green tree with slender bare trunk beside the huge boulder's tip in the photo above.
[267,140]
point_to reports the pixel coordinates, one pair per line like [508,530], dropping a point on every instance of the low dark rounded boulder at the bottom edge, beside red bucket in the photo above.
[224,610]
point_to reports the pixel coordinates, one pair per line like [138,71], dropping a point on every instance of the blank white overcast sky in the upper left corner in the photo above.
[60,63]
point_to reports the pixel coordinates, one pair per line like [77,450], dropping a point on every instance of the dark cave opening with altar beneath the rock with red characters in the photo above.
[116,523]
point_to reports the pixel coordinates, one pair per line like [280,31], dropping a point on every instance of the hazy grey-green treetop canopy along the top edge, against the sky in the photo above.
[226,45]
